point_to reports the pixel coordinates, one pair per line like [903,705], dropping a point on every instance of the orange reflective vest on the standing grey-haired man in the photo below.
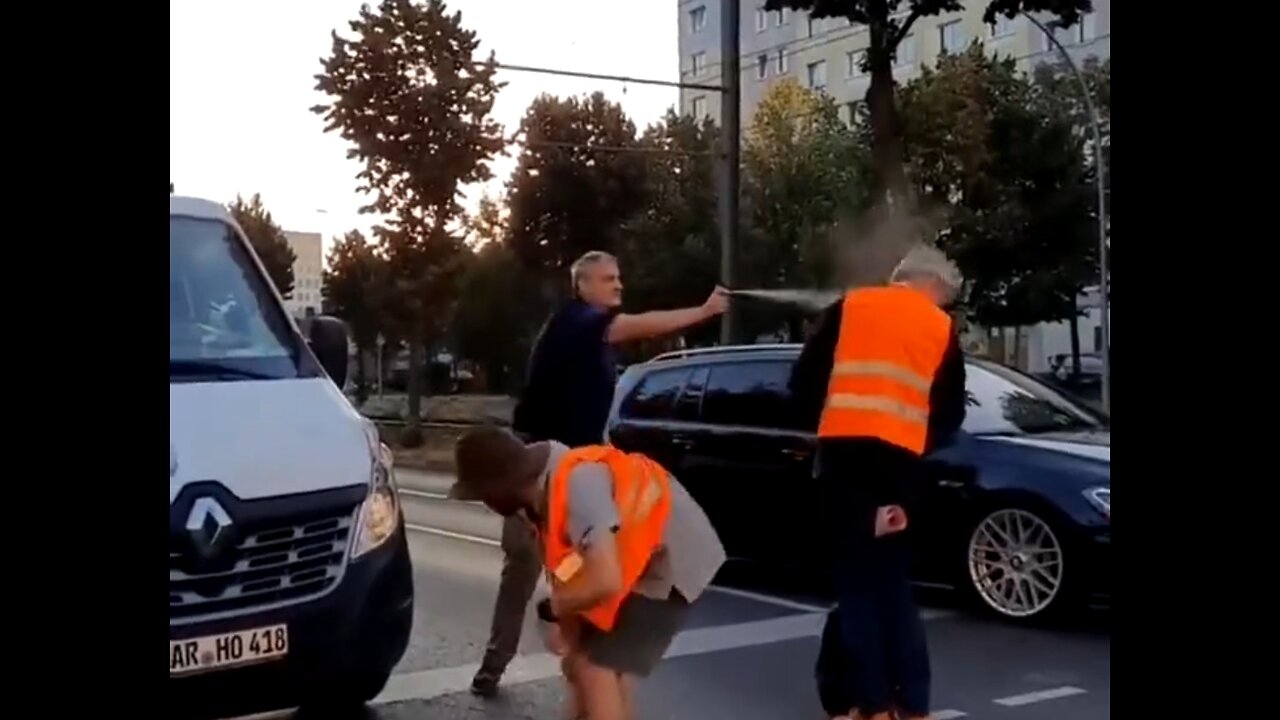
[892,344]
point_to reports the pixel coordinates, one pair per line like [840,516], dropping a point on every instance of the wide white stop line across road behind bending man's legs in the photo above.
[542,667]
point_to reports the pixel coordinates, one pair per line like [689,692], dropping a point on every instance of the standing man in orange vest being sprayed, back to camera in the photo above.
[883,379]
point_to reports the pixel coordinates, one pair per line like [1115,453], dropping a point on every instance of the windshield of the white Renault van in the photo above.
[225,322]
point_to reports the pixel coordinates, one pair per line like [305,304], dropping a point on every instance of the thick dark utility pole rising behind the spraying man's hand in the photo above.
[732,140]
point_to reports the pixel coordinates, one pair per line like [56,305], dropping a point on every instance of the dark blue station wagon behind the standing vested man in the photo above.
[1017,508]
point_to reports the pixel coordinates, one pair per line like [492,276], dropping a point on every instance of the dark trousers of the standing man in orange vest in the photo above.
[888,659]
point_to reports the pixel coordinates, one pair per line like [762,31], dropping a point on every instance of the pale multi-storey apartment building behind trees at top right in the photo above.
[826,54]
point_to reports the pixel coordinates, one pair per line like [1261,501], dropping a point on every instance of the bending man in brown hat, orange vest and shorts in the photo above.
[627,550]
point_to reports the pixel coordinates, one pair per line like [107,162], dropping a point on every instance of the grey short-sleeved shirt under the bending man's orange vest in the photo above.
[691,554]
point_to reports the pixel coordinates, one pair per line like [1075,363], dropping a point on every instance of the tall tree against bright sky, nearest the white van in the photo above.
[409,95]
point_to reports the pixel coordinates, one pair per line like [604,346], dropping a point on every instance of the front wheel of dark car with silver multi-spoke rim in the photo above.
[1018,564]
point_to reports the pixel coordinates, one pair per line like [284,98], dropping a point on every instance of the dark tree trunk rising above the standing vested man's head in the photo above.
[889,177]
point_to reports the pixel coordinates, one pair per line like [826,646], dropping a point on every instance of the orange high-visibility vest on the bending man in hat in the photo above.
[642,491]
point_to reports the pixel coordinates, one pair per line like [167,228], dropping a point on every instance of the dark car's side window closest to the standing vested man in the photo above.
[749,394]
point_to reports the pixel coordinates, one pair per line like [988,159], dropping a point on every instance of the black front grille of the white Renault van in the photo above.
[273,566]
